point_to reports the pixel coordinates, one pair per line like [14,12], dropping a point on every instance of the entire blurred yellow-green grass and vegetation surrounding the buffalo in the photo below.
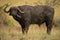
[10,29]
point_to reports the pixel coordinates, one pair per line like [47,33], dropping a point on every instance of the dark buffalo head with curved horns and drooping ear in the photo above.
[14,11]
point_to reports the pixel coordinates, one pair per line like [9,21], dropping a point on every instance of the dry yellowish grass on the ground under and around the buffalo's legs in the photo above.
[34,33]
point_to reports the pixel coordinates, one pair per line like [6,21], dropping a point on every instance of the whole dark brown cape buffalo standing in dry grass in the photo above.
[27,15]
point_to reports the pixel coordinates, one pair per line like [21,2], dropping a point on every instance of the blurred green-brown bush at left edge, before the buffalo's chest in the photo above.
[4,19]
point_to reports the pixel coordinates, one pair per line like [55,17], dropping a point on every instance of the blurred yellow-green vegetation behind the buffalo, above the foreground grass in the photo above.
[7,20]
